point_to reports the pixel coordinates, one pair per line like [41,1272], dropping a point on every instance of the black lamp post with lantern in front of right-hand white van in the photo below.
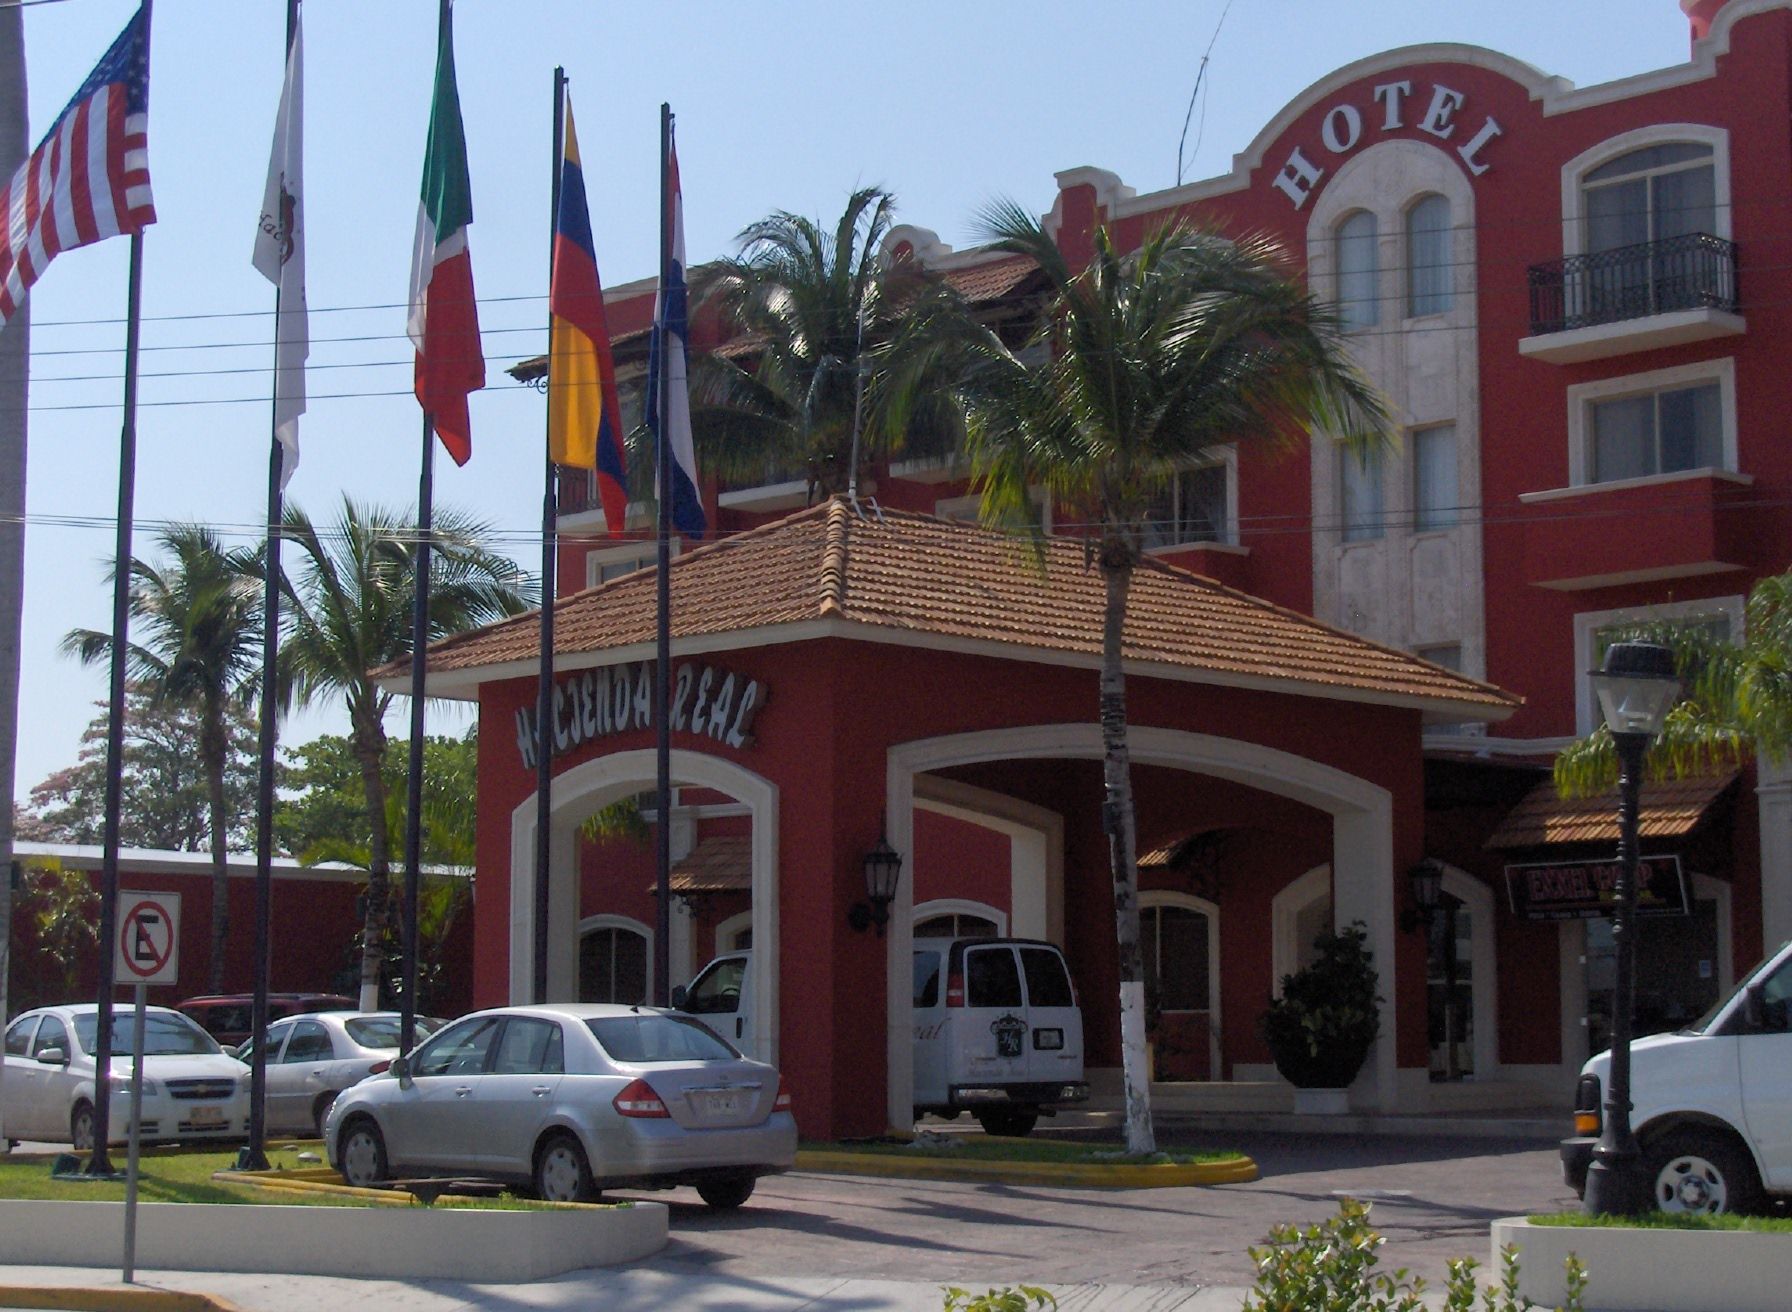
[1635,689]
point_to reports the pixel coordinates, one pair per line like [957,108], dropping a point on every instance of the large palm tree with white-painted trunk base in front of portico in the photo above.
[1185,345]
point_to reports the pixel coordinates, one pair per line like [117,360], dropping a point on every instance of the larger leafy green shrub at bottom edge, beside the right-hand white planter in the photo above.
[1331,1268]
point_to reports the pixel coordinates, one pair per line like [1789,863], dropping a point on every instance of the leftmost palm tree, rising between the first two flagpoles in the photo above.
[202,617]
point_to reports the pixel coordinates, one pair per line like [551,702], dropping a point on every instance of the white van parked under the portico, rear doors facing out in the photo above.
[997,1028]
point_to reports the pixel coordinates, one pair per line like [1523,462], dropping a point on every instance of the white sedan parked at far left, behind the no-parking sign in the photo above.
[193,1091]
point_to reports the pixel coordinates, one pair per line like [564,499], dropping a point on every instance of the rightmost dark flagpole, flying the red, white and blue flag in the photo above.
[664,628]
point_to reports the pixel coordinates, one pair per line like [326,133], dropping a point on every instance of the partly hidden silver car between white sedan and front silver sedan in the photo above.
[316,1057]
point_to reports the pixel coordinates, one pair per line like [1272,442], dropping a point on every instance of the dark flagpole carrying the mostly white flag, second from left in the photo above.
[255,1153]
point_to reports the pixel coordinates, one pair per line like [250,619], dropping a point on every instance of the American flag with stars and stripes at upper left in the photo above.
[89,177]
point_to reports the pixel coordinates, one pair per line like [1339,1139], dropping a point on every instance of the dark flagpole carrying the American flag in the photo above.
[101,1164]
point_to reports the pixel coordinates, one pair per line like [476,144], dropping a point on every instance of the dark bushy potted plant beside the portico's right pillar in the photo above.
[1320,1031]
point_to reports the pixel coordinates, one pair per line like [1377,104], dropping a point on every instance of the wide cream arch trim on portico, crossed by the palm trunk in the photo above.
[1363,850]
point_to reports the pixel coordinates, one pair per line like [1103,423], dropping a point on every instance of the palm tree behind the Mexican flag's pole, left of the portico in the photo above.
[350,612]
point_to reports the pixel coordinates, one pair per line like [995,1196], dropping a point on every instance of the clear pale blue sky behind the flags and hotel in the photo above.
[780,107]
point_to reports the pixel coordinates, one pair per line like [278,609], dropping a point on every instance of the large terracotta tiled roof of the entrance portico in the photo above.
[917,580]
